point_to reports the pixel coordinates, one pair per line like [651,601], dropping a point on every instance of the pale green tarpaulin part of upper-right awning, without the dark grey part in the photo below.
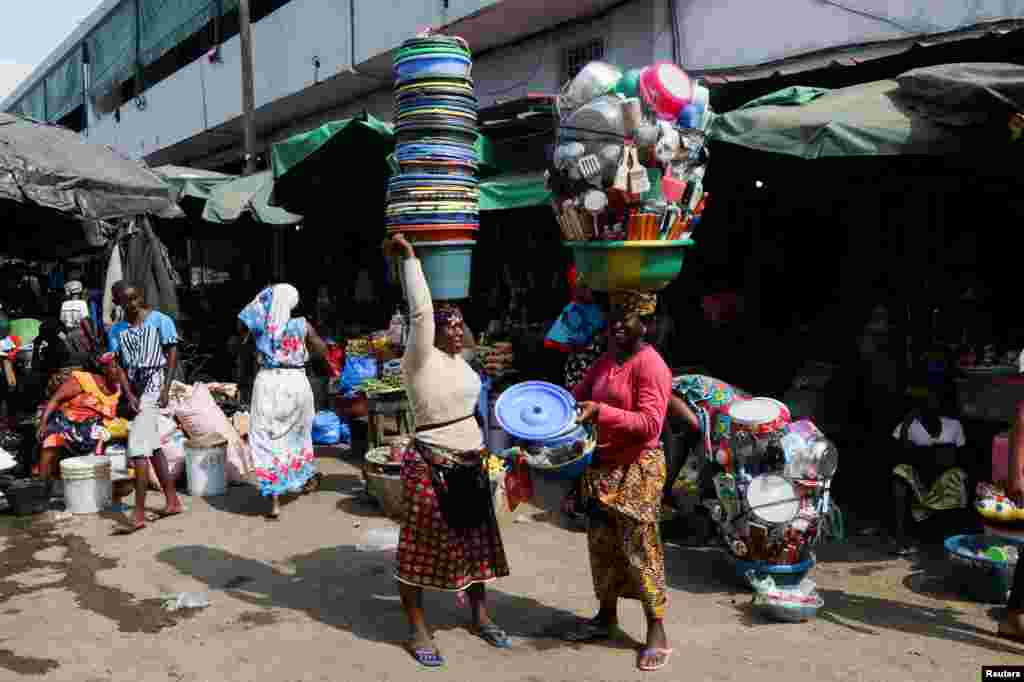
[871,119]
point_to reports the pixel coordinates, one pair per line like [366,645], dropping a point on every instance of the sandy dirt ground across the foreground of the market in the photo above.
[296,601]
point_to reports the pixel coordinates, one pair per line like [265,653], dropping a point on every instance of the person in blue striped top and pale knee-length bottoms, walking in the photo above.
[146,344]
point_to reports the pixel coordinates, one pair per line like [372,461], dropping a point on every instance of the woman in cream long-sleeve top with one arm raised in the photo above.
[450,539]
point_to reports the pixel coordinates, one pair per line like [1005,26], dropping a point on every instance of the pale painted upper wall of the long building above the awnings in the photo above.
[714,34]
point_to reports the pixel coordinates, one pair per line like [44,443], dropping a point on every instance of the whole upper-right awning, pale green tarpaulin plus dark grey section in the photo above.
[951,109]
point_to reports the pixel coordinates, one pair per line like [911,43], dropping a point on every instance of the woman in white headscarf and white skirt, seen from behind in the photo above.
[283,407]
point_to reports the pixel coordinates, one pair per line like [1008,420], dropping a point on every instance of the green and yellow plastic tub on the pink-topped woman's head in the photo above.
[629,266]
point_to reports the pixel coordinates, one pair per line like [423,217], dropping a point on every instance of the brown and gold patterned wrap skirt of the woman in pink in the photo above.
[627,558]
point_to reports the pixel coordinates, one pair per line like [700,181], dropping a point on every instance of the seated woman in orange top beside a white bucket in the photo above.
[73,420]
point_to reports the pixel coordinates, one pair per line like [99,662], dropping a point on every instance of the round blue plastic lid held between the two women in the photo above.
[536,411]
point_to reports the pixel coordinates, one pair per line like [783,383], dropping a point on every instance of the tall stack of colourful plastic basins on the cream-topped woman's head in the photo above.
[435,201]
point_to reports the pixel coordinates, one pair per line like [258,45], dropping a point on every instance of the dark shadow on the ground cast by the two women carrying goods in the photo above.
[356,591]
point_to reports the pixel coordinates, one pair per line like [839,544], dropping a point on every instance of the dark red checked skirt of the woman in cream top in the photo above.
[431,553]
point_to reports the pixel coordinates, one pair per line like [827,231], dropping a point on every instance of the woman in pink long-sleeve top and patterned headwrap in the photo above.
[626,396]
